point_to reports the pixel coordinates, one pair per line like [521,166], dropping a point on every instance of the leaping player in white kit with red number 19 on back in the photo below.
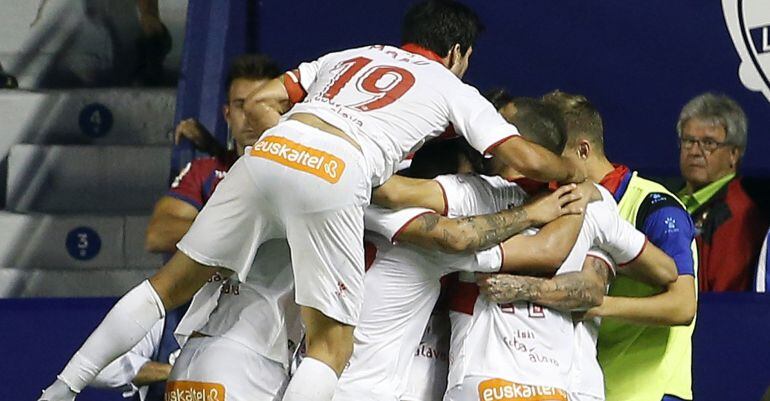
[309,178]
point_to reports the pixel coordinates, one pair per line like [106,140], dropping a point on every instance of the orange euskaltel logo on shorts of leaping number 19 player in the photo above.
[300,157]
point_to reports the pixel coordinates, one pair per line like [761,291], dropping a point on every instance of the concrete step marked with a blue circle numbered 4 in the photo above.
[119,116]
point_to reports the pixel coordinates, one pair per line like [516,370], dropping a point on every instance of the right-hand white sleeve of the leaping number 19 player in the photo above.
[477,120]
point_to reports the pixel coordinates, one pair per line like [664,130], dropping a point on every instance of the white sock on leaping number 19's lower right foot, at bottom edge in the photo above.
[313,381]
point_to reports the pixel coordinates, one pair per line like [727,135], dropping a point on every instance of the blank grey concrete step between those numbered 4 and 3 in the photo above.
[86,179]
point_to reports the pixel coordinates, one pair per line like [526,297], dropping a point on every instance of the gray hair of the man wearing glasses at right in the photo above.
[720,110]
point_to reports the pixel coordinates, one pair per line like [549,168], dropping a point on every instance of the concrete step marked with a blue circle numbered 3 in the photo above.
[85,242]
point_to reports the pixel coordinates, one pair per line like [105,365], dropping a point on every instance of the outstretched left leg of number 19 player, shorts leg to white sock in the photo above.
[226,233]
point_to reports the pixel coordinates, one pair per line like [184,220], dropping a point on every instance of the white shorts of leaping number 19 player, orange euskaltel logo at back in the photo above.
[307,186]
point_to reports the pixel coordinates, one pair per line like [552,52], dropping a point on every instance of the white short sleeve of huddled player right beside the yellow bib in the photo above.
[617,237]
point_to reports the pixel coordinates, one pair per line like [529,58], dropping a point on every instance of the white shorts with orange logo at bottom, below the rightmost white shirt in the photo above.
[475,388]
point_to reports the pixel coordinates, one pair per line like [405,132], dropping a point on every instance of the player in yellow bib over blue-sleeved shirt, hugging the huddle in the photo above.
[648,327]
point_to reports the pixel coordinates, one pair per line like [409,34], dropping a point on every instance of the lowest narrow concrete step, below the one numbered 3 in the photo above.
[28,283]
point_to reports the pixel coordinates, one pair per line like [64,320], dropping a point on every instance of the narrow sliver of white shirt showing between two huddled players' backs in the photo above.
[428,375]
